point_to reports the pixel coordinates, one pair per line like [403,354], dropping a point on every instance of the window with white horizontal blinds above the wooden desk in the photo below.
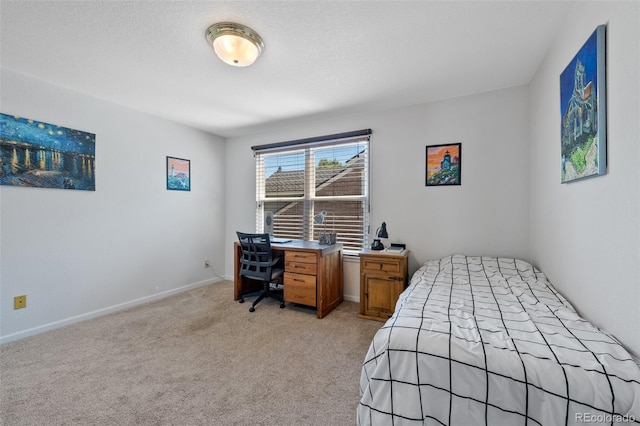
[298,179]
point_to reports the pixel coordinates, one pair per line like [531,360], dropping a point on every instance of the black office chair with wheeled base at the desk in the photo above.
[259,263]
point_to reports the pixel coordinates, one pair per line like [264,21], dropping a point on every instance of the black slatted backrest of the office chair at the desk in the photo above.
[257,257]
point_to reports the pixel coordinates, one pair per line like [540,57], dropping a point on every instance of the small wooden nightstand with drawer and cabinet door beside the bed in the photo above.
[383,276]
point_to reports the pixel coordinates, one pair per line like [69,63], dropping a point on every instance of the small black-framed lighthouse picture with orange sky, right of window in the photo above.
[443,164]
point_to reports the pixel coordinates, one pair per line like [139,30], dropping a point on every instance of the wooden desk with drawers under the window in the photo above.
[312,274]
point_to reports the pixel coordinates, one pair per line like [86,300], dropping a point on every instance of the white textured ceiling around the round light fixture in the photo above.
[322,58]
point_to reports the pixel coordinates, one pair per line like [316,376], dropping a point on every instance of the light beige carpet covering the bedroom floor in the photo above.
[196,358]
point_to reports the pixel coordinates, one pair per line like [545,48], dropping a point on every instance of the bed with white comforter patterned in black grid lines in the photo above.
[489,341]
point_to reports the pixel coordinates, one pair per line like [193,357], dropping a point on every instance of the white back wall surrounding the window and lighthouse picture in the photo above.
[487,214]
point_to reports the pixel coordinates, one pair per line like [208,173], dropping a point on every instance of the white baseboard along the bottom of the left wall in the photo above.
[99,312]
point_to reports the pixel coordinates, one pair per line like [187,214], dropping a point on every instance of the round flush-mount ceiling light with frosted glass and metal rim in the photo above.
[235,44]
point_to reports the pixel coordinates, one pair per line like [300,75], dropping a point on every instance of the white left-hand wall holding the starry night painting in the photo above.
[76,254]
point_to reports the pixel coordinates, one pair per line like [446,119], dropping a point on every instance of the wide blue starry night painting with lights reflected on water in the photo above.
[43,155]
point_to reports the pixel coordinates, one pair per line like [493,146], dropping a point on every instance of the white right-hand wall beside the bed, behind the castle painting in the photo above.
[585,235]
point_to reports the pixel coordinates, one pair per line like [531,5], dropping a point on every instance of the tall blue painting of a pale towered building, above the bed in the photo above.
[583,146]
